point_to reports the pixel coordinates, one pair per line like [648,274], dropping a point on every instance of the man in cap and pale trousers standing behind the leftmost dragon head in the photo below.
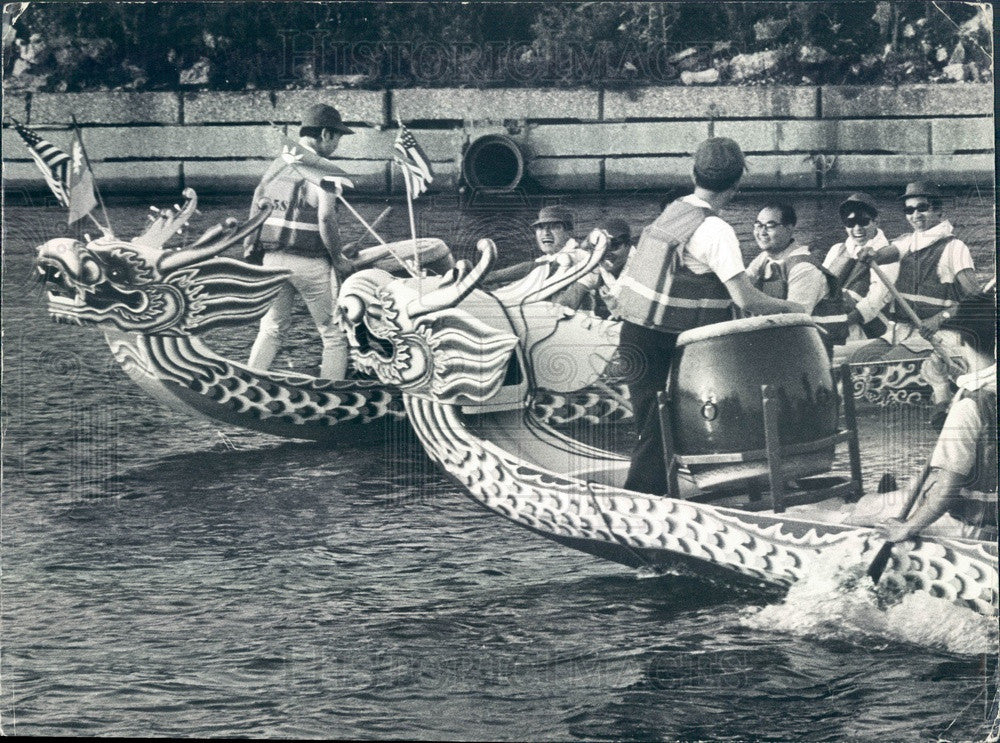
[302,236]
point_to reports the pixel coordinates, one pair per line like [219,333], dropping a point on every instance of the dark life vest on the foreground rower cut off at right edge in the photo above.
[978,503]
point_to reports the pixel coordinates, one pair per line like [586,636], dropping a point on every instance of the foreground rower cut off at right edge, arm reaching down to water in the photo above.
[959,496]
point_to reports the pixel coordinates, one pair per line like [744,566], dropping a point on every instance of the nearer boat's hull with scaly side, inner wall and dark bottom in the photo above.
[571,494]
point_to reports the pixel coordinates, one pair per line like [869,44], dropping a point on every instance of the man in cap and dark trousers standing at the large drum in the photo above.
[686,271]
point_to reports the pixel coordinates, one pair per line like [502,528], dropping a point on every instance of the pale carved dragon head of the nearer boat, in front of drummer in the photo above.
[444,339]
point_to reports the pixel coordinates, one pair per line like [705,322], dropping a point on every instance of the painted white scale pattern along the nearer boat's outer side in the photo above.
[770,549]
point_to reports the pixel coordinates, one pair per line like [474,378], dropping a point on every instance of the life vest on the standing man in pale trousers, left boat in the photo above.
[293,226]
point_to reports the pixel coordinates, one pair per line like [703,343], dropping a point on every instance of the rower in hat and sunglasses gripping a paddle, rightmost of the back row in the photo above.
[932,269]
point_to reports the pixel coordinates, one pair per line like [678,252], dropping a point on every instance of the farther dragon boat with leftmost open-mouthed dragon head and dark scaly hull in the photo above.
[154,304]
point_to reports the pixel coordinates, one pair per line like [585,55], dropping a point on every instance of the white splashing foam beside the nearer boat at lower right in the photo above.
[835,599]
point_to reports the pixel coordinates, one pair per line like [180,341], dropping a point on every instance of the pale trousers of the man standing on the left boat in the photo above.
[316,282]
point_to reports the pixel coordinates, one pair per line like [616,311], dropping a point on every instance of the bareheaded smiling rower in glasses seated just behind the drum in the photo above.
[786,270]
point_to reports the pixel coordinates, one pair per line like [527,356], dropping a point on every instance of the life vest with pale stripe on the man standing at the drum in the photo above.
[657,291]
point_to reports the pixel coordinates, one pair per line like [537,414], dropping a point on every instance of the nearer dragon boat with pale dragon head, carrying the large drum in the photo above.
[749,501]
